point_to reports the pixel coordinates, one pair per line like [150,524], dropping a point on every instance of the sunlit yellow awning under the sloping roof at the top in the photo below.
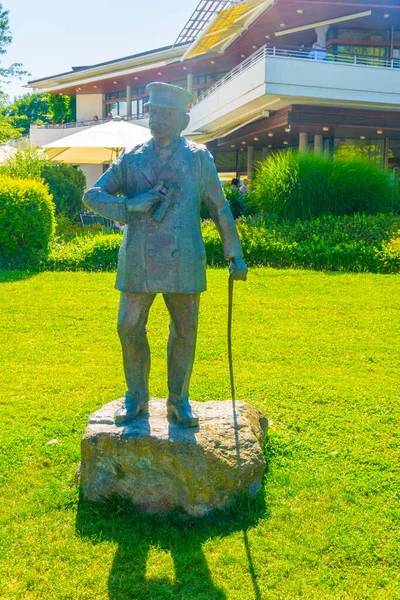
[226,26]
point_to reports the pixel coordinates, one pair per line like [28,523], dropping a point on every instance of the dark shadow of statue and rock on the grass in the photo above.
[180,535]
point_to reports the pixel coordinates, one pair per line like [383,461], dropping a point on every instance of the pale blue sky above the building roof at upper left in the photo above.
[50,36]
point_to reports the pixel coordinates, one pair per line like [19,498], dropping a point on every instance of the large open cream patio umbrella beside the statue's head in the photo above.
[97,144]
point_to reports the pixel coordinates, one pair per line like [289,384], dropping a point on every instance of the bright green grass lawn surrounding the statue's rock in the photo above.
[317,352]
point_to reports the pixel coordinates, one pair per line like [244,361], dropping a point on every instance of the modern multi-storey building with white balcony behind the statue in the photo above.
[265,75]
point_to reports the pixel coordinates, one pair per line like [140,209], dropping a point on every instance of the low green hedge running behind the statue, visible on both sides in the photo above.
[357,243]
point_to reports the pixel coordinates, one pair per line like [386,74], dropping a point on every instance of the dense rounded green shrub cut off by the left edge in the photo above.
[26,221]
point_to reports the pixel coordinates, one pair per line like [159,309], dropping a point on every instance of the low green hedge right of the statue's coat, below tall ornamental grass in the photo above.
[348,243]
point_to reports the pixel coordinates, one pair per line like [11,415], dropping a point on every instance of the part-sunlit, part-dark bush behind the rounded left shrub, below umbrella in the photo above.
[66,183]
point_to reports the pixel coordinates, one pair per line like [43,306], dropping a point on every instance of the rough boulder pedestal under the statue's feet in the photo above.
[160,465]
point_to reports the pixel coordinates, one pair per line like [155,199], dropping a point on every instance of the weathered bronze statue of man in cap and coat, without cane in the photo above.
[157,189]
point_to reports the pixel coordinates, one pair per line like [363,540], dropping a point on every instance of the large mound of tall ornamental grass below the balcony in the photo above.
[295,185]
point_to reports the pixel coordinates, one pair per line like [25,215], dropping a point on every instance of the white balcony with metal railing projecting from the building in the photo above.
[276,77]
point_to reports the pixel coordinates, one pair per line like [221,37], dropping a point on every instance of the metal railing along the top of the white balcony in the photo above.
[320,55]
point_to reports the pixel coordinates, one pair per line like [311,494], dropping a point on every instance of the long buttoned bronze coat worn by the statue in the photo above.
[168,256]
